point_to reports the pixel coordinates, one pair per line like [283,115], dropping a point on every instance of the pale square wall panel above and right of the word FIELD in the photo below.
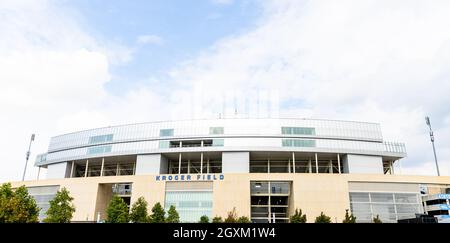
[235,162]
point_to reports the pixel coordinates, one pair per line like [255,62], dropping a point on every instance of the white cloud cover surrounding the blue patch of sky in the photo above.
[381,61]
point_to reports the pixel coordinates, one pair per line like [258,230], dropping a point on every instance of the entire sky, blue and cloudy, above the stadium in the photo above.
[71,65]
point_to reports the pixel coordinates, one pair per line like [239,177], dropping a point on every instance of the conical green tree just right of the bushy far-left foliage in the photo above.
[61,208]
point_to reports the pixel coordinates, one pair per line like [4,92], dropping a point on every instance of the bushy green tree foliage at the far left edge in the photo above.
[17,206]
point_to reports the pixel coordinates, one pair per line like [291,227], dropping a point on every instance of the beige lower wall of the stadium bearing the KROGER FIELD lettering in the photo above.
[313,193]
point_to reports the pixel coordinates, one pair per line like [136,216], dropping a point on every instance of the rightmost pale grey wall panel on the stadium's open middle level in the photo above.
[362,164]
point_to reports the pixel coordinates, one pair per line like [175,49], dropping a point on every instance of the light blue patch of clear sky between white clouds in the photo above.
[184,28]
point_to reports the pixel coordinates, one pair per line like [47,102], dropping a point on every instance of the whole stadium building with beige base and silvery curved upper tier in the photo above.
[264,168]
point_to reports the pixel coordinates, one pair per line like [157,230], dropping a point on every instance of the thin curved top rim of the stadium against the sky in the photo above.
[210,119]
